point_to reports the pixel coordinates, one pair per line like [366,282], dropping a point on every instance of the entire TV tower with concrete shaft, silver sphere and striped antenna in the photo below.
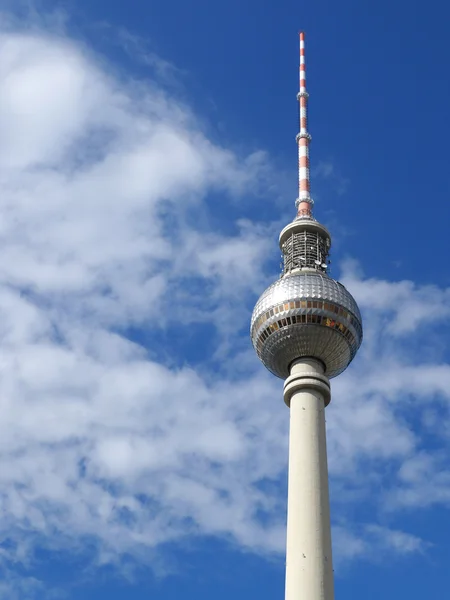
[306,328]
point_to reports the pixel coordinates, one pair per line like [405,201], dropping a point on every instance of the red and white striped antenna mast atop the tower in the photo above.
[304,201]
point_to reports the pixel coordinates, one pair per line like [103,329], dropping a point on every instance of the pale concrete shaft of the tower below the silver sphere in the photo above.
[309,567]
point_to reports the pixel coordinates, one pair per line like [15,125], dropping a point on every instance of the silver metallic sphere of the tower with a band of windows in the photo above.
[306,314]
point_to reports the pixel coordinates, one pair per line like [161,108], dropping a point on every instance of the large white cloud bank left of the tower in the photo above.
[99,180]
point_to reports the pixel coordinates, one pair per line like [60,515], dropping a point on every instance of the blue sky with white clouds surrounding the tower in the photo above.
[147,164]
